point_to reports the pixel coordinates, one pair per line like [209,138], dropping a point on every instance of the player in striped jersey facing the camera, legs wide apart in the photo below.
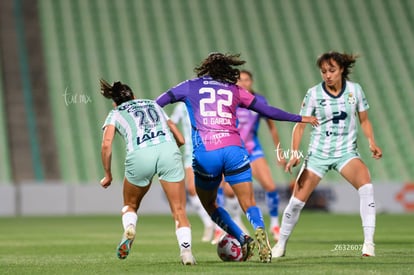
[338,104]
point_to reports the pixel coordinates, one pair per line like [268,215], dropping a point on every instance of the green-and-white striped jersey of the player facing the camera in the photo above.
[337,133]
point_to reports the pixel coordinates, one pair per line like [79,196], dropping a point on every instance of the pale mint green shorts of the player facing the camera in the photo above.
[321,165]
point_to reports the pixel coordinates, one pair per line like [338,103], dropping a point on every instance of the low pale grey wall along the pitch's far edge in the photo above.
[53,198]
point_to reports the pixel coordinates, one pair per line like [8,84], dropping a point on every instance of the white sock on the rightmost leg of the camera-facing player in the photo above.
[367,211]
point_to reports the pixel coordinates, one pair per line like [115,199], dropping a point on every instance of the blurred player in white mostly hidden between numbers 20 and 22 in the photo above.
[180,115]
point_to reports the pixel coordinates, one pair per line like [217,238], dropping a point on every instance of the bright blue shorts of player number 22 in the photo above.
[210,166]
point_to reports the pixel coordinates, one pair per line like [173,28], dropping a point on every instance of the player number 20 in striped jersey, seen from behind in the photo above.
[151,144]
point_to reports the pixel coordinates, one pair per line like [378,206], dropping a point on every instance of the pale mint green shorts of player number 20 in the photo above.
[163,159]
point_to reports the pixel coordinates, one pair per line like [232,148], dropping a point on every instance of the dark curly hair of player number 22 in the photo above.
[221,67]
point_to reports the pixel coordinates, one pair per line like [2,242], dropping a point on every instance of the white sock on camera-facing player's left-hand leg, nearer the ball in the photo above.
[289,220]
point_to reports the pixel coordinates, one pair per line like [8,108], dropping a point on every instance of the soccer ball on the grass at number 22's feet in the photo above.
[229,249]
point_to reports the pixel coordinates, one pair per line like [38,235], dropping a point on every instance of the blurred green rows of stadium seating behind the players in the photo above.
[153,45]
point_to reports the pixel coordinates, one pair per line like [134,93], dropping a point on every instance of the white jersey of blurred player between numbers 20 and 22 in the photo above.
[180,115]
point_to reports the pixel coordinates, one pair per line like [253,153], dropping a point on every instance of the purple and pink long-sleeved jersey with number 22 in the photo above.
[212,108]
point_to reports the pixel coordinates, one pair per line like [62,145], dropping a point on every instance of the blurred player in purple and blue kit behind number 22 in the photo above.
[248,125]
